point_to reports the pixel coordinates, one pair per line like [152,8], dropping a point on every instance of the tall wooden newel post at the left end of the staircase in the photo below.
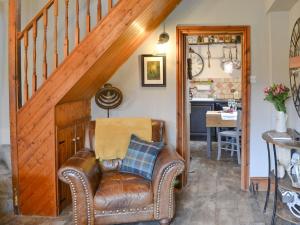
[15,97]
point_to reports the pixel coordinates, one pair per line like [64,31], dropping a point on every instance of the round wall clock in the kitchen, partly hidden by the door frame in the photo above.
[195,64]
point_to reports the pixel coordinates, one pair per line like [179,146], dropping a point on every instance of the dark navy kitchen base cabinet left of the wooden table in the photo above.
[198,120]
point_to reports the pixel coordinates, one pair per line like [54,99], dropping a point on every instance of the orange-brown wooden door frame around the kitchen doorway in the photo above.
[181,96]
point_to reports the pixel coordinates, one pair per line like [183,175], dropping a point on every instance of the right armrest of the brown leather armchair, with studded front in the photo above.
[167,167]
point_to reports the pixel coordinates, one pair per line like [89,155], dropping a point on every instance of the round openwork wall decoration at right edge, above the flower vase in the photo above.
[295,65]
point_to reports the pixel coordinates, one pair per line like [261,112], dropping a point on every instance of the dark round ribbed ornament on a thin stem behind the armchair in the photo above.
[108,97]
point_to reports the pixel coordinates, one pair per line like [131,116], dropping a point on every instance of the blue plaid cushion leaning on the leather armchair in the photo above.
[141,156]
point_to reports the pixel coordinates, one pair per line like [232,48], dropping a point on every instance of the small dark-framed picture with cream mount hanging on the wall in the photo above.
[153,70]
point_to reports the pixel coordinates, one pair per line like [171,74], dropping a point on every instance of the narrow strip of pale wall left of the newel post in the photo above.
[4,100]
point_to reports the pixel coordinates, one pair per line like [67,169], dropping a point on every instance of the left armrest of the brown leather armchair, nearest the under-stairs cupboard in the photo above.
[82,173]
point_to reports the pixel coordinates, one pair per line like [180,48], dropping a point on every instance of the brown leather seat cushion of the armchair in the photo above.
[118,191]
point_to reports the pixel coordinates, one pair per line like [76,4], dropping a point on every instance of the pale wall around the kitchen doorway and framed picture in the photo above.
[161,102]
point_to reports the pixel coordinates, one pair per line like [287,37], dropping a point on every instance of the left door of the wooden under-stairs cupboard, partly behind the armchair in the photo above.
[66,148]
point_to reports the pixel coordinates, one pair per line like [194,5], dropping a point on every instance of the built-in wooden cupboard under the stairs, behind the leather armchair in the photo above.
[71,120]
